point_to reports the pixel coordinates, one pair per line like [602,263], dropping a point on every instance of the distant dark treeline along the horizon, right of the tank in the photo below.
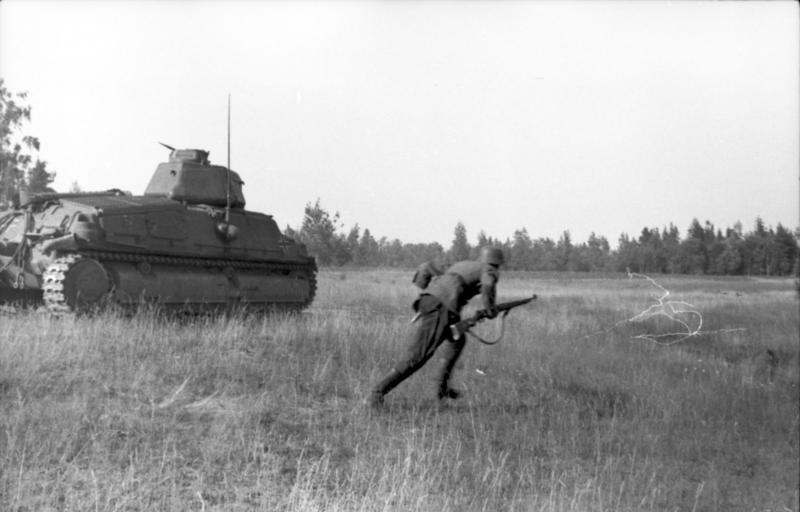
[705,249]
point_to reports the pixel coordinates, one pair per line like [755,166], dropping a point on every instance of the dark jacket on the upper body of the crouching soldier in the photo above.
[462,281]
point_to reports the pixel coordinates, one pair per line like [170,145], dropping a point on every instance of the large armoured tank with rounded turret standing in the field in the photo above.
[188,244]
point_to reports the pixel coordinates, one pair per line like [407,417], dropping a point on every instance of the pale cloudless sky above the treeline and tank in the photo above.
[408,117]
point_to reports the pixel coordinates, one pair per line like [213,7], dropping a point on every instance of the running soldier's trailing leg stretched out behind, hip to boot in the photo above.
[427,338]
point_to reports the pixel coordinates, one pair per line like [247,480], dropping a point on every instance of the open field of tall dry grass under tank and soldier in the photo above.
[570,411]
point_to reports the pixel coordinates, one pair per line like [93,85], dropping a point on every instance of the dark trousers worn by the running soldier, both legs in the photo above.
[433,330]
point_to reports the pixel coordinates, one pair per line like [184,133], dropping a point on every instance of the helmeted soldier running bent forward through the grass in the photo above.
[438,307]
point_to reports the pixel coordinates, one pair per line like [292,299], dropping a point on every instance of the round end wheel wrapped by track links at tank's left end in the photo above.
[75,284]
